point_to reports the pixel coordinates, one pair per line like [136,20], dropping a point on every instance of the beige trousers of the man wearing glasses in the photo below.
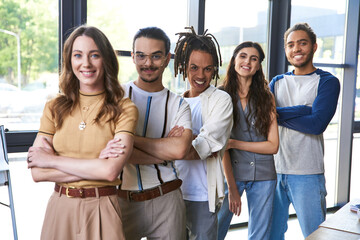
[162,218]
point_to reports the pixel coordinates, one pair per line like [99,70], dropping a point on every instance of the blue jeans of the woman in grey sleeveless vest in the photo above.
[260,196]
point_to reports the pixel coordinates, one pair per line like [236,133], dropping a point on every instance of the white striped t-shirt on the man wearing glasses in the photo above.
[152,123]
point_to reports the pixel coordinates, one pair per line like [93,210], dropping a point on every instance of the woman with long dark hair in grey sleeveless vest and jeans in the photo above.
[249,162]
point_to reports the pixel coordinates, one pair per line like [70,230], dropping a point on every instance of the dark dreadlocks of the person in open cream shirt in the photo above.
[190,41]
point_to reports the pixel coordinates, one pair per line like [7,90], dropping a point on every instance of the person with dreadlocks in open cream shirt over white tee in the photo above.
[197,58]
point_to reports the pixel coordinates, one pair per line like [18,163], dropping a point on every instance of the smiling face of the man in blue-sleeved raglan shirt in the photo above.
[299,50]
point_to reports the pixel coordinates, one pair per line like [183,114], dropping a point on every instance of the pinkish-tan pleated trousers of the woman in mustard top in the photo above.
[82,218]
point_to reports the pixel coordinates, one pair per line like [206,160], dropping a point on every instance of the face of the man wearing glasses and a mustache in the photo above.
[150,59]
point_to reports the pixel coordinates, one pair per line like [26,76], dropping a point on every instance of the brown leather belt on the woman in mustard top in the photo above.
[86,192]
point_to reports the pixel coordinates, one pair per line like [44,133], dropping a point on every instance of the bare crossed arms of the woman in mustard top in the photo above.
[46,165]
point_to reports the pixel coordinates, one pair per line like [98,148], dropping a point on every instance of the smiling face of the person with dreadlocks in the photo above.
[200,72]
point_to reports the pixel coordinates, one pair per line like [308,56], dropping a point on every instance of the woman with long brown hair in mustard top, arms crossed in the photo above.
[76,125]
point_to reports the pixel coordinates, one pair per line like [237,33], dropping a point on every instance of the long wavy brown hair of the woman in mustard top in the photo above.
[69,85]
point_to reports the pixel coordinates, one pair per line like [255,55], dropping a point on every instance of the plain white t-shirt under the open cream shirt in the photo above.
[193,172]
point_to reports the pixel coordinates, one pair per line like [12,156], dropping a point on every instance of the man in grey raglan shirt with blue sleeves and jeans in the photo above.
[306,100]
